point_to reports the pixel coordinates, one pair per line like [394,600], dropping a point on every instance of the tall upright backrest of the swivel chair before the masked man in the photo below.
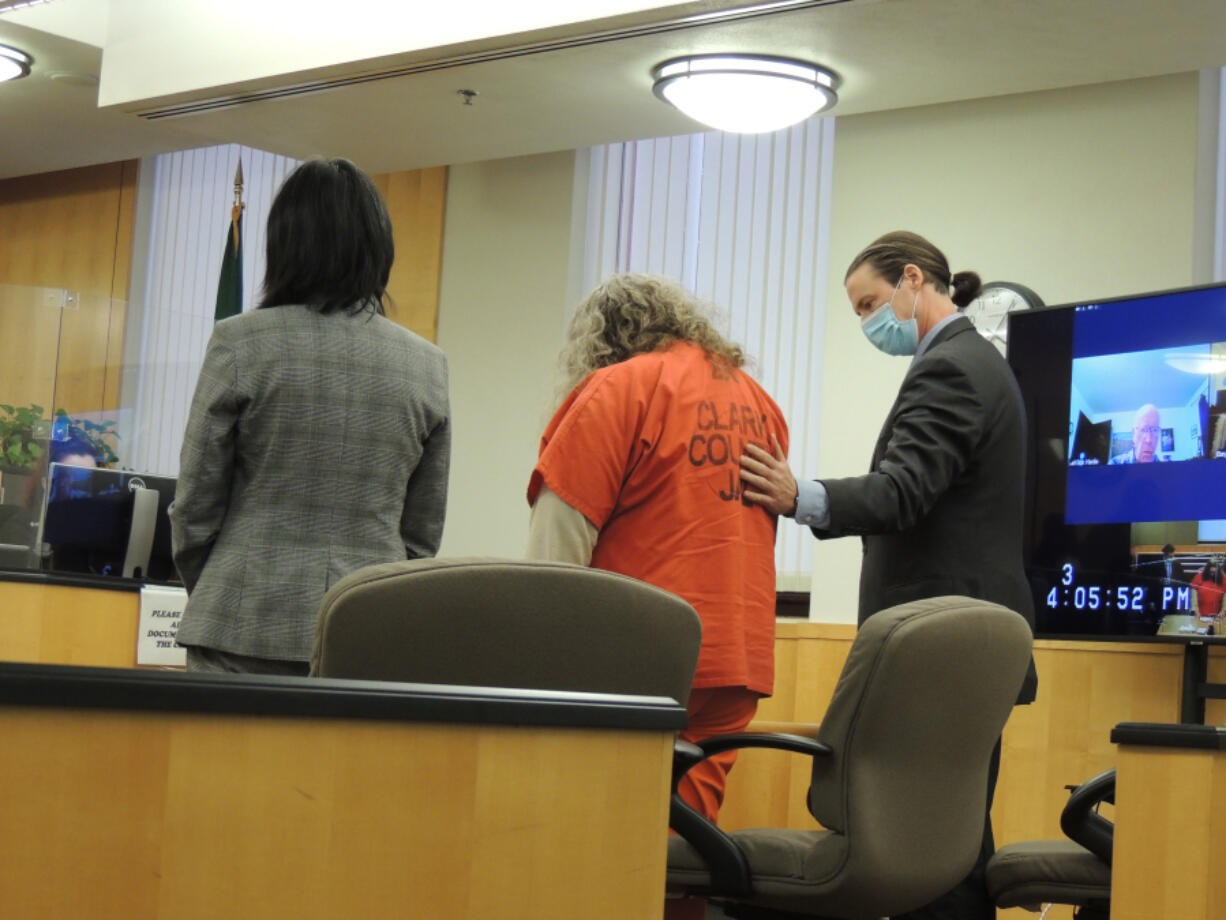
[920,705]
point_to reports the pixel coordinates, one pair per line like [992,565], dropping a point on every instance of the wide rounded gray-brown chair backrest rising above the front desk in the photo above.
[508,624]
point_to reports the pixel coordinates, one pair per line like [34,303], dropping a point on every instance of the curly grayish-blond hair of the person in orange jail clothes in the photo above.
[636,315]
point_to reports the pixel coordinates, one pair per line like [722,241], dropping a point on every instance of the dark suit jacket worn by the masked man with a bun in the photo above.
[941,511]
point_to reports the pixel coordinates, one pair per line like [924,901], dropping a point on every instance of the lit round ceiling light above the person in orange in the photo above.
[746,94]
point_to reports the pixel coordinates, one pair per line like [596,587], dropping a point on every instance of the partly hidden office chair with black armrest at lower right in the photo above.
[1076,872]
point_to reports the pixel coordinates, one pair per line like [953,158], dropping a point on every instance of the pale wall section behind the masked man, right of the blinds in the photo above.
[1083,193]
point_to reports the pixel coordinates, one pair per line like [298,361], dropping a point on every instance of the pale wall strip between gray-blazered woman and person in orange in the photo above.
[502,313]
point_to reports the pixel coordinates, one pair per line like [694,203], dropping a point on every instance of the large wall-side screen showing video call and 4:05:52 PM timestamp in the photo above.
[1126,405]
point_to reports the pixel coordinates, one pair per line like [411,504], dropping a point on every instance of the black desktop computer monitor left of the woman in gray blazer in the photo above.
[88,522]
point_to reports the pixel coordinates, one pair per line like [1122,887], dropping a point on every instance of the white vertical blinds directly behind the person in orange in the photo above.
[742,221]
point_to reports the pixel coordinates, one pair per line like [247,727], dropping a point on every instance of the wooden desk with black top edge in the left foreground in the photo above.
[156,795]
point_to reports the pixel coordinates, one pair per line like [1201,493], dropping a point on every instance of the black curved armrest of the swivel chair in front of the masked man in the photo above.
[730,872]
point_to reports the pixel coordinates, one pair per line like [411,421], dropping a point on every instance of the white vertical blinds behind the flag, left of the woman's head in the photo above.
[188,218]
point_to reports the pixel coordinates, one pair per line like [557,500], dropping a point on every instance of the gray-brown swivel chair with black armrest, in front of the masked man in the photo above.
[900,770]
